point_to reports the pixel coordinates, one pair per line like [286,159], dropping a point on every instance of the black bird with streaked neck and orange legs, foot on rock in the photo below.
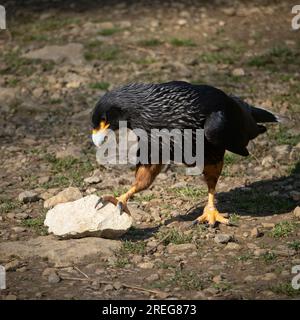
[229,123]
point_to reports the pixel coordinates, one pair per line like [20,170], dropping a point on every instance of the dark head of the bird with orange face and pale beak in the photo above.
[106,116]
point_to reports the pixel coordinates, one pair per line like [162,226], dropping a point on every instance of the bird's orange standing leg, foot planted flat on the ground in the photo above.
[210,213]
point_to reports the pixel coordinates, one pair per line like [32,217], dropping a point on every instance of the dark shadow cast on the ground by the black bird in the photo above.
[257,199]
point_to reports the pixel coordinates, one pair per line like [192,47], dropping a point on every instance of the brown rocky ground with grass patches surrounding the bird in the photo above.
[244,48]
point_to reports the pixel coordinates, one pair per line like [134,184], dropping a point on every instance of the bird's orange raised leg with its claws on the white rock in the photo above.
[144,176]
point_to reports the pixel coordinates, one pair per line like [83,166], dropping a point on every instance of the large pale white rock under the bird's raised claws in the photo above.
[80,218]
